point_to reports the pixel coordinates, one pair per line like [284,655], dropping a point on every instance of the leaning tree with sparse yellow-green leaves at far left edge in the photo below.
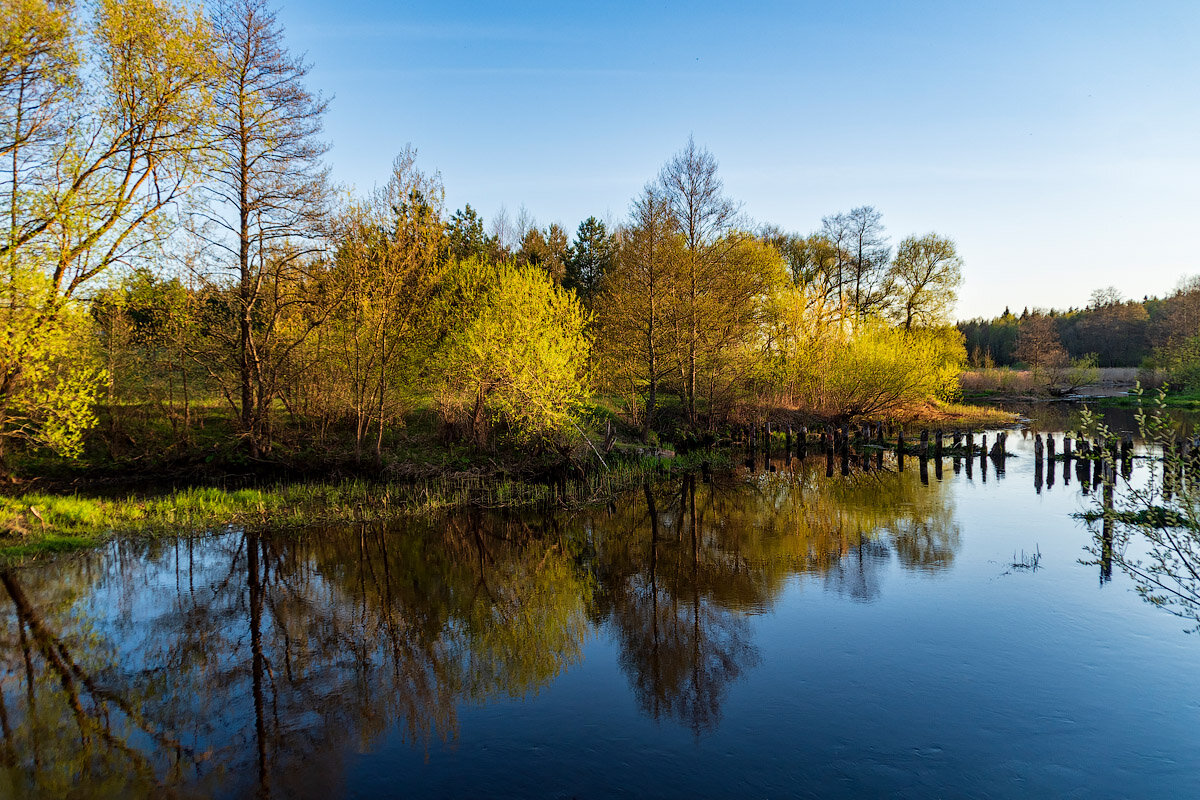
[104,122]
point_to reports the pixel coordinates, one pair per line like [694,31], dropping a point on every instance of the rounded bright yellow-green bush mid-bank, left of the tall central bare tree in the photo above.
[520,358]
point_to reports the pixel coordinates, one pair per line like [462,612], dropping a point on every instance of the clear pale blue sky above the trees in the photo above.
[1058,143]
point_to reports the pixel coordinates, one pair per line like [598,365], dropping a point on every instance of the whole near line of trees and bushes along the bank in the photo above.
[173,248]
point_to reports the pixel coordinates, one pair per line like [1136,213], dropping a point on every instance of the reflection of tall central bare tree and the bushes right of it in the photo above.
[679,574]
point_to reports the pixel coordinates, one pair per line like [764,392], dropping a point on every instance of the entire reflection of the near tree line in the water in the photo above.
[255,665]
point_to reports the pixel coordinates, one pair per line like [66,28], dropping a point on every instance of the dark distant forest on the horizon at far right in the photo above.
[1117,332]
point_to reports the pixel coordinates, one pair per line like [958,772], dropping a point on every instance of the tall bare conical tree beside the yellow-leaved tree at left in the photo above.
[268,191]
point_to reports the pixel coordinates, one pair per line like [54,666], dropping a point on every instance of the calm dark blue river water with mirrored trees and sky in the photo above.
[779,635]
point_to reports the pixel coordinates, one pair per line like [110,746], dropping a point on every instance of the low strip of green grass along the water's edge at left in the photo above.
[34,525]
